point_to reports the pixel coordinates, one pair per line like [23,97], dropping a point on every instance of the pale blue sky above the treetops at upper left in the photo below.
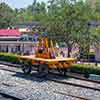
[20,3]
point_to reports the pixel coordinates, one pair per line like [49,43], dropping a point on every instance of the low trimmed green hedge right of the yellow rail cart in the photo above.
[85,69]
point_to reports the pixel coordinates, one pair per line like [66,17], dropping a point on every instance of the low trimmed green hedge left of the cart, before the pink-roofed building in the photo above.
[9,57]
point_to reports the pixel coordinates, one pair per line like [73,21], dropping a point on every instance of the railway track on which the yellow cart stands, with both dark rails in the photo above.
[55,77]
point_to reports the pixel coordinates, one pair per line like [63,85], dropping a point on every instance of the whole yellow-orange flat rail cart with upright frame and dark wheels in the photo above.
[45,60]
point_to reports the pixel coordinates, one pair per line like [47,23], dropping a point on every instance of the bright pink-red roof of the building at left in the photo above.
[9,32]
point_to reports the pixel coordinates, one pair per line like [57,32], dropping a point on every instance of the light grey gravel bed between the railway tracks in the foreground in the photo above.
[30,88]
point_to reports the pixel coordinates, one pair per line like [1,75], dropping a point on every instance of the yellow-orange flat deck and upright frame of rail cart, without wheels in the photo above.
[45,57]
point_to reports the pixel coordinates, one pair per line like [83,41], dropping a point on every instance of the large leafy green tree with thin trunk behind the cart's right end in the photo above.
[70,20]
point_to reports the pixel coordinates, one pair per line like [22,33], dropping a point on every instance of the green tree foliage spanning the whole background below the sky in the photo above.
[70,19]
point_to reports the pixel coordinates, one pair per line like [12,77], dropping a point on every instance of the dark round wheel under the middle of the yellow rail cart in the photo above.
[43,69]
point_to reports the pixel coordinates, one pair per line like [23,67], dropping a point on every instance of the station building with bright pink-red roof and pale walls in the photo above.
[10,42]
